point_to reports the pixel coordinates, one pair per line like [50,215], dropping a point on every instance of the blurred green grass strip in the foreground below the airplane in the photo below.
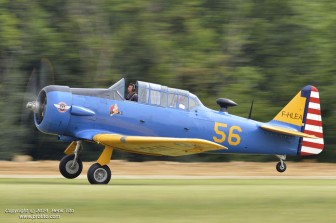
[184,201]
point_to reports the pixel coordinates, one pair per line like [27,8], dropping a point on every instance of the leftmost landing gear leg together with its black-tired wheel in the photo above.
[71,166]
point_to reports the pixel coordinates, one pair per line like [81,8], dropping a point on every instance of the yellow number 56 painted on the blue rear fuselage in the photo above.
[233,138]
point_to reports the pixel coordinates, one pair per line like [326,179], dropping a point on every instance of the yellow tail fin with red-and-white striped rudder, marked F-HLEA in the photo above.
[303,113]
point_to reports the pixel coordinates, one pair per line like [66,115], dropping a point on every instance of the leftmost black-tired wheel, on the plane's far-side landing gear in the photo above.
[65,167]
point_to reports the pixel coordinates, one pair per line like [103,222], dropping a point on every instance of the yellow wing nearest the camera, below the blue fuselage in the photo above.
[160,146]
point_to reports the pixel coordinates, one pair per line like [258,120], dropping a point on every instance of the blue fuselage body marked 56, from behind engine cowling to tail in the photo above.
[239,135]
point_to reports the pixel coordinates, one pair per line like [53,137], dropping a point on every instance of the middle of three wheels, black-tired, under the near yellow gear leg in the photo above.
[98,174]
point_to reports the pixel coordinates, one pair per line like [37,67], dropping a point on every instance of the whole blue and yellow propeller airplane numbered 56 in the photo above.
[164,121]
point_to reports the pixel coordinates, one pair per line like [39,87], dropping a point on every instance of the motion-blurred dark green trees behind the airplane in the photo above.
[262,49]
